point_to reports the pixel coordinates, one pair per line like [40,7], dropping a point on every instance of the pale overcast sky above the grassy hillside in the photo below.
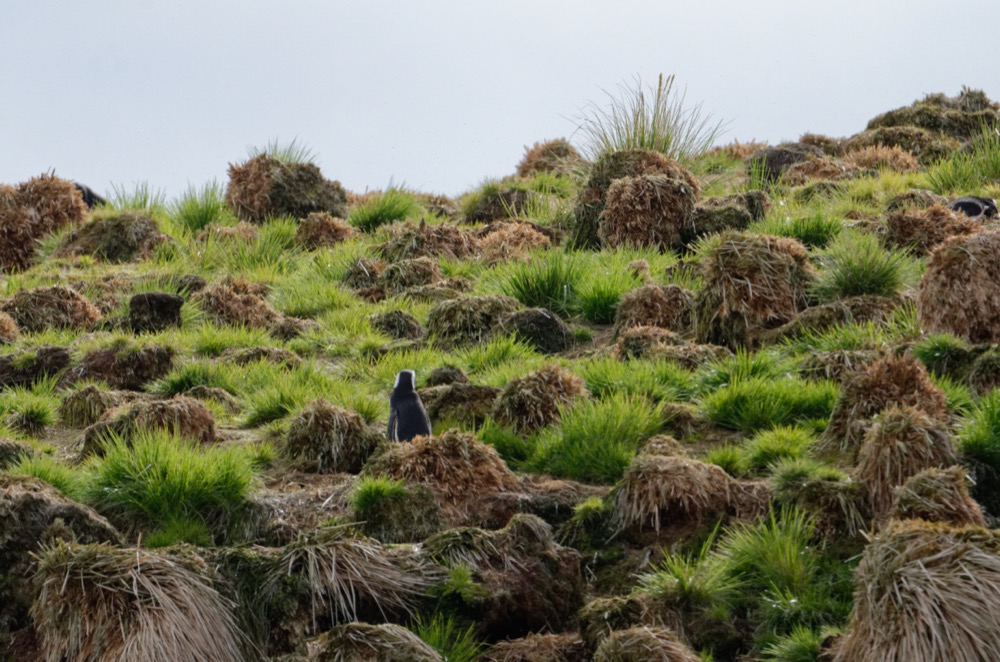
[441,95]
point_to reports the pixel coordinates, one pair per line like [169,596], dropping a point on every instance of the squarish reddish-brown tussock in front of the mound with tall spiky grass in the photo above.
[649,210]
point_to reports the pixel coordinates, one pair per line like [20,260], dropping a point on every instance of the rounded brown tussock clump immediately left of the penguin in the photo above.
[326,438]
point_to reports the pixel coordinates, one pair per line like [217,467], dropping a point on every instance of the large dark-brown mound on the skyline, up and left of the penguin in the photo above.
[265,186]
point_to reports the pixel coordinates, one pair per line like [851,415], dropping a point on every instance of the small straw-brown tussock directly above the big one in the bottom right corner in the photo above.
[938,495]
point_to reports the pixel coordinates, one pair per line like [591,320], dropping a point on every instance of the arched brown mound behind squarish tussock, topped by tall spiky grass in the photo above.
[592,198]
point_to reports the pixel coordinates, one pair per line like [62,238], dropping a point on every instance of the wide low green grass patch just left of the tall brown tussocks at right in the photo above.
[762,403]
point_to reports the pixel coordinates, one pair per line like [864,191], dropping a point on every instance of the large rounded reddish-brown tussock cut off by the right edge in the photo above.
[969,266]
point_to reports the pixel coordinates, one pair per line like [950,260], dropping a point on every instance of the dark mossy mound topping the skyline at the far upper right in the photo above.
[961,117]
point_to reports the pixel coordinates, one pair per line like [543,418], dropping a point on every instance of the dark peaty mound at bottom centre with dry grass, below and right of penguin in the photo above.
[524,582]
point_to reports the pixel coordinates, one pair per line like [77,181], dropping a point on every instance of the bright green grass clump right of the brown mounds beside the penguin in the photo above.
[596,440]
